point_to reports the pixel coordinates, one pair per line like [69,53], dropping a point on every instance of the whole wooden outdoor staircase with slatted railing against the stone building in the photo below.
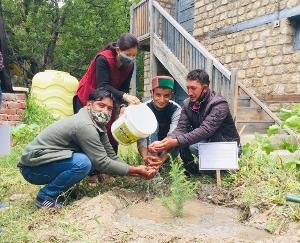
[179,52]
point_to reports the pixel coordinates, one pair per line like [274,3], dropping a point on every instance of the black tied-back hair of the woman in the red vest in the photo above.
[125,42]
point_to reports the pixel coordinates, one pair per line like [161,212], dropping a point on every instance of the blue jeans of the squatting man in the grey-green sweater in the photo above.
[58,176]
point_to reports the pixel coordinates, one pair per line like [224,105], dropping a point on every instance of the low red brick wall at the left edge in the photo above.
[13,107]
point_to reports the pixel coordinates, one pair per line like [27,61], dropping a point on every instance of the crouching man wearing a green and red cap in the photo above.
[167,114]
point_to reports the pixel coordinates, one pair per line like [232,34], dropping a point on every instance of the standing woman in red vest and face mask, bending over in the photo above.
[112,69]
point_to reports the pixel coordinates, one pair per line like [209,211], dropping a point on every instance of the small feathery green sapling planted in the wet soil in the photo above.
[181,189]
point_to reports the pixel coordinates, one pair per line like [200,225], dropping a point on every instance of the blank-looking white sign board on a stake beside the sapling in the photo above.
[218,156]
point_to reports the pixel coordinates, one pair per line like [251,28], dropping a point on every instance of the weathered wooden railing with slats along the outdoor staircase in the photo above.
[150,20]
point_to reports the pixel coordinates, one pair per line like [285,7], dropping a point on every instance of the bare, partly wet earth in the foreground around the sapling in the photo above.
[124,217]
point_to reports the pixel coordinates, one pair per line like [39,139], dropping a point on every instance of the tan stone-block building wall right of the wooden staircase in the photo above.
[264,55]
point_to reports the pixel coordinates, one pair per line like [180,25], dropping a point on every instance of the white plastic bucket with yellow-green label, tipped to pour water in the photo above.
[138,121]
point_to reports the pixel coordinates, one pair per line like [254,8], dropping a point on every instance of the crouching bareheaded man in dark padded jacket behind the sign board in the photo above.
[205,117]
